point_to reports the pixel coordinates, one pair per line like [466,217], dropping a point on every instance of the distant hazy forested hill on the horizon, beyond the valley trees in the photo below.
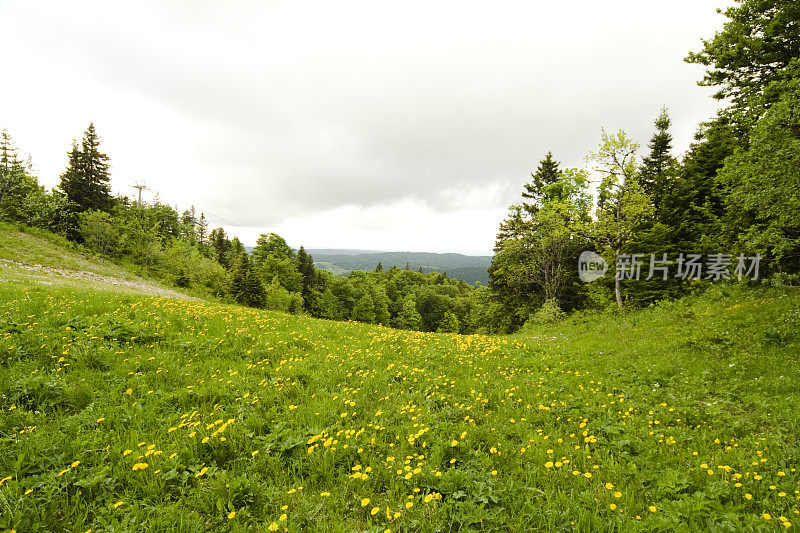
[465,267]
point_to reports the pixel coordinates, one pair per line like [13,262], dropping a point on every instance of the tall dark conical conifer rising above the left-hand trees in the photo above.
[86,180]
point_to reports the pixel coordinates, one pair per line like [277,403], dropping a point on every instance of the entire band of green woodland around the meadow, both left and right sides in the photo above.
[735,191]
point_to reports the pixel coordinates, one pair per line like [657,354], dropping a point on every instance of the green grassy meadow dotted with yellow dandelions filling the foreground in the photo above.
[673,415]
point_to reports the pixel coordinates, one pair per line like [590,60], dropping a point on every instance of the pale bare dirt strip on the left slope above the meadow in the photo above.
[61,276]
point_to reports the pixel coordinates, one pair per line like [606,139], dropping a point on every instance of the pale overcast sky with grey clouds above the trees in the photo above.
[351,124]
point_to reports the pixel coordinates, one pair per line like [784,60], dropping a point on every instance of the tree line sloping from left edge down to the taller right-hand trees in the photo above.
[181,248]
